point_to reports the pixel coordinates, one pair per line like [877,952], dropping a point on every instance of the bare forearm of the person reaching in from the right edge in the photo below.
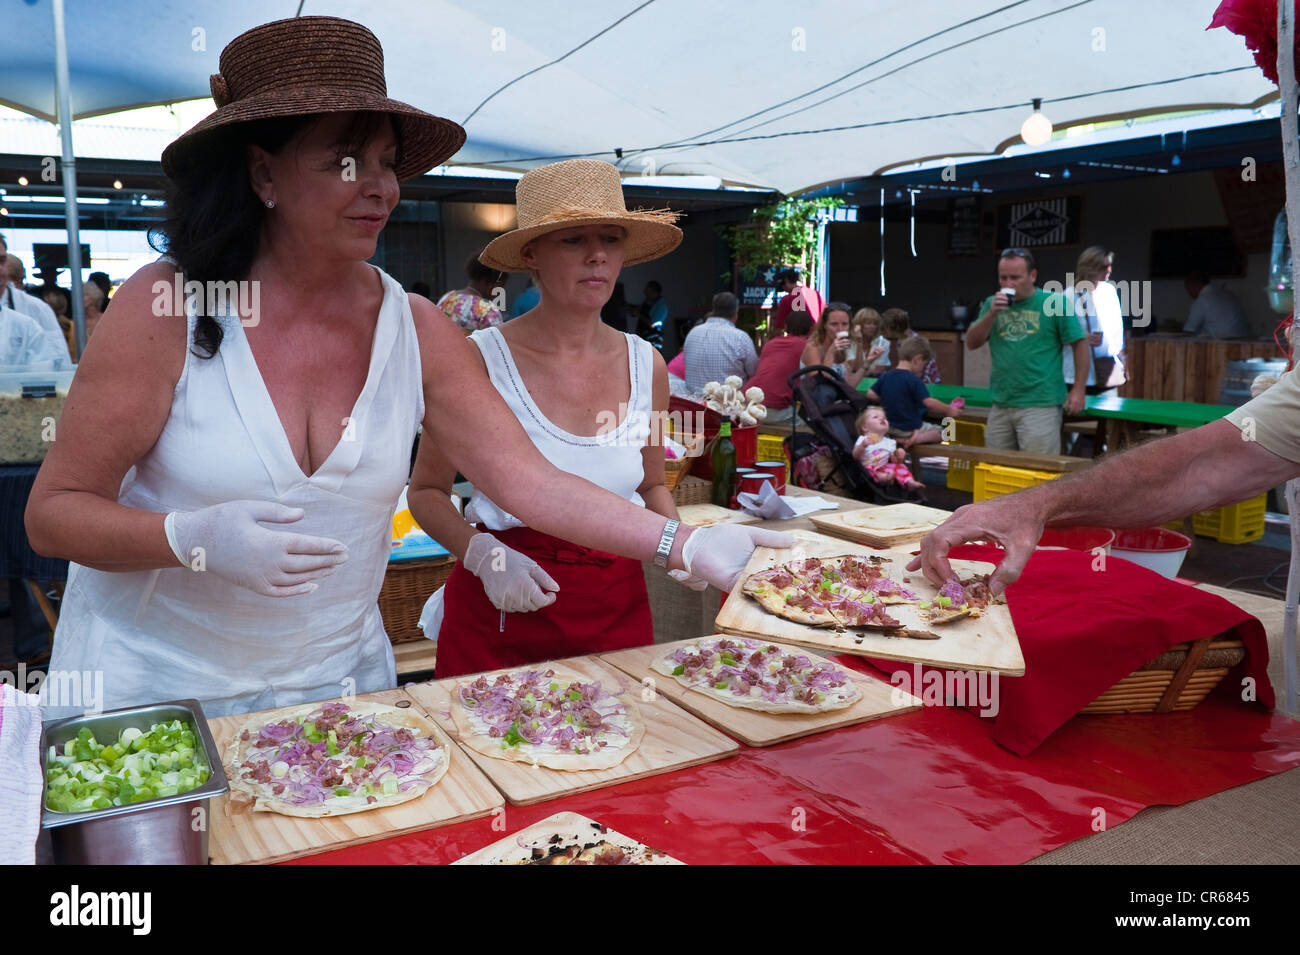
[1163,481]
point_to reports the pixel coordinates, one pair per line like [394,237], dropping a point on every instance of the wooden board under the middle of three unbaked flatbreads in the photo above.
[674,739]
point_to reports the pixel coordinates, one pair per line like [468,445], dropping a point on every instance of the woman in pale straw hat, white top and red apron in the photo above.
[586,396]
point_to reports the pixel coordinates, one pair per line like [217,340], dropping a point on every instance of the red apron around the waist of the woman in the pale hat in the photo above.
[601,606]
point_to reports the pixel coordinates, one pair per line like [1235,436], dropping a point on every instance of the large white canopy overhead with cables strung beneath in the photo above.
[762,93]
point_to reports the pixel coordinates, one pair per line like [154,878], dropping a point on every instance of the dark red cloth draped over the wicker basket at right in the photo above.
[1082,631]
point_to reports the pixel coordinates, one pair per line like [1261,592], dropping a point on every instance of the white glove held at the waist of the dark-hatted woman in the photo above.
[229,542]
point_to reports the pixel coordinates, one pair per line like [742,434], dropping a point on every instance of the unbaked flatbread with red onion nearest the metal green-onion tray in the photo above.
[330,759]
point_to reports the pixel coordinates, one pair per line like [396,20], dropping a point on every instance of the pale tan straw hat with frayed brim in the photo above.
[580,193]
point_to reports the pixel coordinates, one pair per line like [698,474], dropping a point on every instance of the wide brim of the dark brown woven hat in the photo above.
[427,140]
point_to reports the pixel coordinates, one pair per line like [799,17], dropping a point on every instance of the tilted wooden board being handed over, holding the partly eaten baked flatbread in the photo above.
[987,644]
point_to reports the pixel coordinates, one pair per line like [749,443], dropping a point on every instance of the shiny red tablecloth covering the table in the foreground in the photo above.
[930,787]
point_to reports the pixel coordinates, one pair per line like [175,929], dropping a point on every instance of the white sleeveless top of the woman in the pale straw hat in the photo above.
[610,461]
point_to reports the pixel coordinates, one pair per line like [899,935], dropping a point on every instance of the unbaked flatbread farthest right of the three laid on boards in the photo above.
[759,675]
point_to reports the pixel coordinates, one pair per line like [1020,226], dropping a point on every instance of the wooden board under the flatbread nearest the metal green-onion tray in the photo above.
[268,837]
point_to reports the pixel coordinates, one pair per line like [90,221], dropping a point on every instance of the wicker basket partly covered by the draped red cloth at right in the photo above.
[1175,681]
